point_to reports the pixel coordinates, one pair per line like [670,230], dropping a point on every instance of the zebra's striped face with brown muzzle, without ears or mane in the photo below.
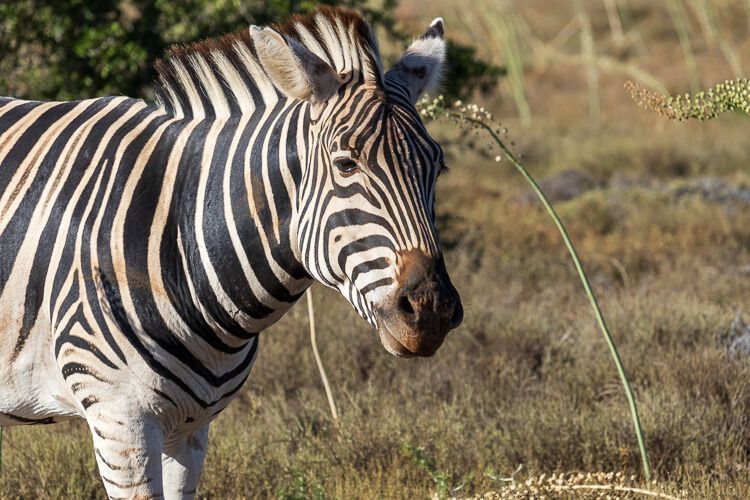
[377,242]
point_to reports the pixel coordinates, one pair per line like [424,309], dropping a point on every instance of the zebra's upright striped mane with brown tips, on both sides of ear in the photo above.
[223,76]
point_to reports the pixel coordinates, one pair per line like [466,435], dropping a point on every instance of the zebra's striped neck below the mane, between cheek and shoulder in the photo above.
[233,257]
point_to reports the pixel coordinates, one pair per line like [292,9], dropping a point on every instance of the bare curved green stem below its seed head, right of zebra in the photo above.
[586,285]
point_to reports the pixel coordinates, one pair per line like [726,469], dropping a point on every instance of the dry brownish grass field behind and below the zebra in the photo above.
[527,379]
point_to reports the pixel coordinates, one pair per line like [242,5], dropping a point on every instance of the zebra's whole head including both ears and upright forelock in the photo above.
[365,220]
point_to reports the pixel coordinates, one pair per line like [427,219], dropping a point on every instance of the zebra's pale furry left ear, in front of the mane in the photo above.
[294,69]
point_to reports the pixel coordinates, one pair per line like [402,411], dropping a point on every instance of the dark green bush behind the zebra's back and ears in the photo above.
[77,49]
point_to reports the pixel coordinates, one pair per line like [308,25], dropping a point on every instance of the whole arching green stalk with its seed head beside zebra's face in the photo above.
[481,119]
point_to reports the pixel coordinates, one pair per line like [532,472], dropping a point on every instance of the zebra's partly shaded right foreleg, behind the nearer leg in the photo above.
[182,464]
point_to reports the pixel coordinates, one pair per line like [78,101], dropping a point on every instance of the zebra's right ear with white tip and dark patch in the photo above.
[420,68]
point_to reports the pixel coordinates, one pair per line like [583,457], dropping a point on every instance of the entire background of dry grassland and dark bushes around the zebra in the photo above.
[658,210]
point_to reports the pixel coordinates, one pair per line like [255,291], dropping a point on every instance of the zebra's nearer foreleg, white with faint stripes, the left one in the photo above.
[128,455]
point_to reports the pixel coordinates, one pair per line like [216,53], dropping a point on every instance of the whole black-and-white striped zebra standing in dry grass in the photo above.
[144,246]
